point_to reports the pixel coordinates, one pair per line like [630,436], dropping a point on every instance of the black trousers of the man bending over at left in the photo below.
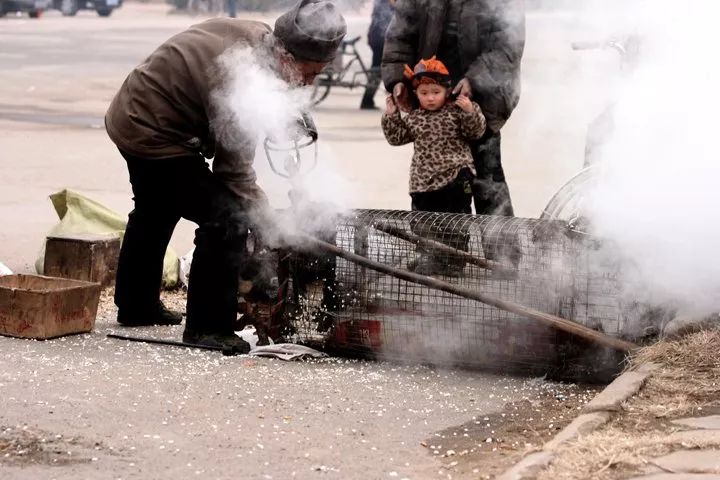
[165,191]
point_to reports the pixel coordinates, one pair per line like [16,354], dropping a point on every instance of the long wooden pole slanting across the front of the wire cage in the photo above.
[545,318]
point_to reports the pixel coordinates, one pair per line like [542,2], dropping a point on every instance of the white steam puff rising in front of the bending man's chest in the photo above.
[254,104]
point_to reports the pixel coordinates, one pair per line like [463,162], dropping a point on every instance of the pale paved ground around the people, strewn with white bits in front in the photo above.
[147,412]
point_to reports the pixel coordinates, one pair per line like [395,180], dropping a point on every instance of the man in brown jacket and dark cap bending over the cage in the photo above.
[163,120]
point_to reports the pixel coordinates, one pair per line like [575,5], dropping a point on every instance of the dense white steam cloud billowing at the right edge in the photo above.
[660,171]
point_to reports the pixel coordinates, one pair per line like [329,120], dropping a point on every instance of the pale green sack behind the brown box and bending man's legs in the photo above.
[81,215]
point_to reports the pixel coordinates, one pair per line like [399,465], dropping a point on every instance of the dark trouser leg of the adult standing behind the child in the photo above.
[492,197]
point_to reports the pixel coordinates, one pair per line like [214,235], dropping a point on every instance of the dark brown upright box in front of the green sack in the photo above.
[91,258]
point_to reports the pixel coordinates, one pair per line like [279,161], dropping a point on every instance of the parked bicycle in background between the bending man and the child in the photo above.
[335,73]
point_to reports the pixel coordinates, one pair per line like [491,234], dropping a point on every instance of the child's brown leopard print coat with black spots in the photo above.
[441,142]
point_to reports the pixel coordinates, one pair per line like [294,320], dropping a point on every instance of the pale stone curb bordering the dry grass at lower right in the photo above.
[595,414]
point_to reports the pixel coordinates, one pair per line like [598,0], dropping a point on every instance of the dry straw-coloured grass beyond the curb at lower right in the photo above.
[687,382]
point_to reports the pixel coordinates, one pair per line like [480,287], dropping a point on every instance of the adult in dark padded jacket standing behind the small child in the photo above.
[481,42]
